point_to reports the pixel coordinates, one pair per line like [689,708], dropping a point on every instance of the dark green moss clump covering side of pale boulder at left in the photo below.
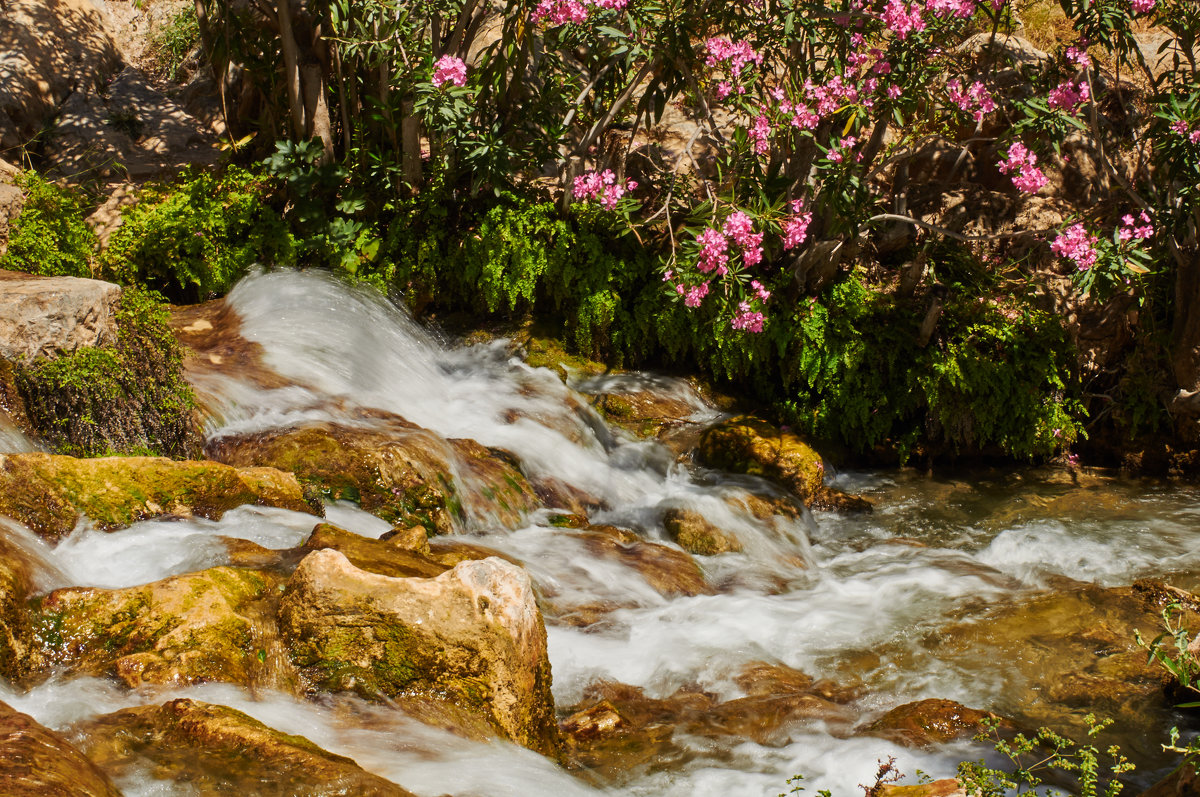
[124,399]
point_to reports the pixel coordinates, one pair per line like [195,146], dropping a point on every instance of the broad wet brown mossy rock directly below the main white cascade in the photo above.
[395,470]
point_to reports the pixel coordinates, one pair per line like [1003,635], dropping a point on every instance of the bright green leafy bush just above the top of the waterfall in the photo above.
[195,238]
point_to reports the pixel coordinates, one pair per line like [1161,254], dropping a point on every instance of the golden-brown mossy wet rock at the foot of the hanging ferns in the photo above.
[747,445]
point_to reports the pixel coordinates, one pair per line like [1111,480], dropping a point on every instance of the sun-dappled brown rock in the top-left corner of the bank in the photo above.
[47,52]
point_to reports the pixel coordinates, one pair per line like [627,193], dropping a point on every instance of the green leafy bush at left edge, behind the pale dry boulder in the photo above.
[50,237]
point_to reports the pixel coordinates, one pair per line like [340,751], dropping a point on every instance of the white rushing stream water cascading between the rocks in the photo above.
[901,606]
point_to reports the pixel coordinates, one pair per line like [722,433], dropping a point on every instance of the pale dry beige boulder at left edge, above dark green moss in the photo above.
[49,316]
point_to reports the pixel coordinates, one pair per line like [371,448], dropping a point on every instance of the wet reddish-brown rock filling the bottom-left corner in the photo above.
[39,763]
